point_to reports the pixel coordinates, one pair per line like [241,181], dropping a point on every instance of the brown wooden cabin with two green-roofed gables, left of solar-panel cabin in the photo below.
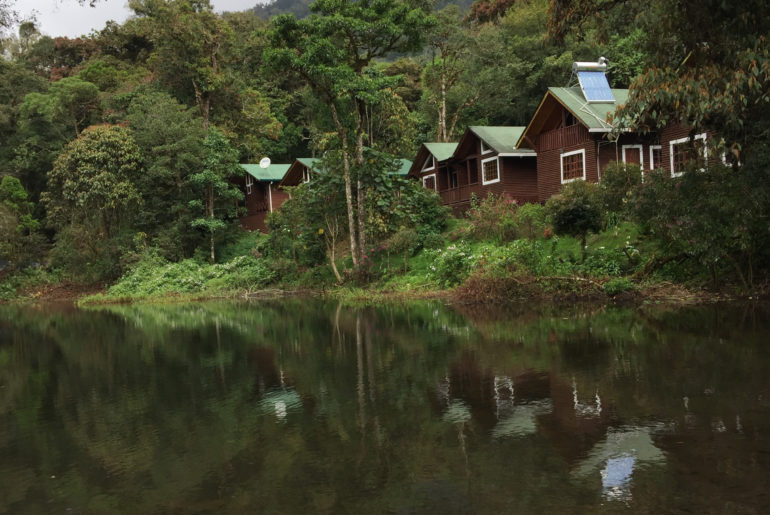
[484,161]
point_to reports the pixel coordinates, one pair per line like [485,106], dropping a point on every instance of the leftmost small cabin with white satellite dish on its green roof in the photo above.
[262,194]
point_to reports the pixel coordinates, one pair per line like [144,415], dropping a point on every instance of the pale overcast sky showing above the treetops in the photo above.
[68,18]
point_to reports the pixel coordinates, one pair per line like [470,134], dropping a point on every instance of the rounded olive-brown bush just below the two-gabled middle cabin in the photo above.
[493,218]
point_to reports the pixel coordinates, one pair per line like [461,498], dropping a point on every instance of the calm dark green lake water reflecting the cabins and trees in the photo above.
[307,407]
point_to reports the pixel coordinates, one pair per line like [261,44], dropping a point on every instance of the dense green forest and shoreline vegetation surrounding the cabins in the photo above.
[118,150]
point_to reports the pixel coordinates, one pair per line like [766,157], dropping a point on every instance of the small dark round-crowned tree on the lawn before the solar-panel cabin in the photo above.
[576,211]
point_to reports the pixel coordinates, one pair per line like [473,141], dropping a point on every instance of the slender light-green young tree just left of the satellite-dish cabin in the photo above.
[212,184]
